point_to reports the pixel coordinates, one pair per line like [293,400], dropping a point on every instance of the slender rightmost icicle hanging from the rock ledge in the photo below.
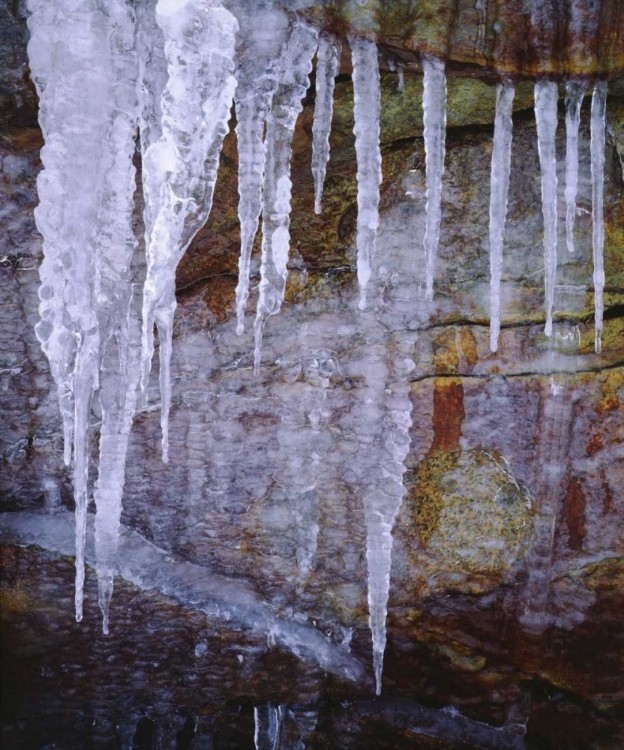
[598,118]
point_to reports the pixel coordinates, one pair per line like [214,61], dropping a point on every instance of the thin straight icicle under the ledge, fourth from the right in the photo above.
[499,189]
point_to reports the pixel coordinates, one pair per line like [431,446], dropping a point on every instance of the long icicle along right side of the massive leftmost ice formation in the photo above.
[113,294]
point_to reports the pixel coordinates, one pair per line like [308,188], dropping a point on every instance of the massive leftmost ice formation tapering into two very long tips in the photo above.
[88,116]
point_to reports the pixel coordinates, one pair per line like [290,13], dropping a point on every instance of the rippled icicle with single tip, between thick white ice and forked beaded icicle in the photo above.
[263,35]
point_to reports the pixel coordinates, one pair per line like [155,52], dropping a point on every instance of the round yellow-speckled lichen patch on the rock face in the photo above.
[473,520]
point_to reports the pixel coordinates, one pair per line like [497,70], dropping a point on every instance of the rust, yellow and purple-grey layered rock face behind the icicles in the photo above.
[506,576]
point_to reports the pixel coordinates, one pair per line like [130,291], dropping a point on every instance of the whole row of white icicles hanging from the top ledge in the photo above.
[171,70]
